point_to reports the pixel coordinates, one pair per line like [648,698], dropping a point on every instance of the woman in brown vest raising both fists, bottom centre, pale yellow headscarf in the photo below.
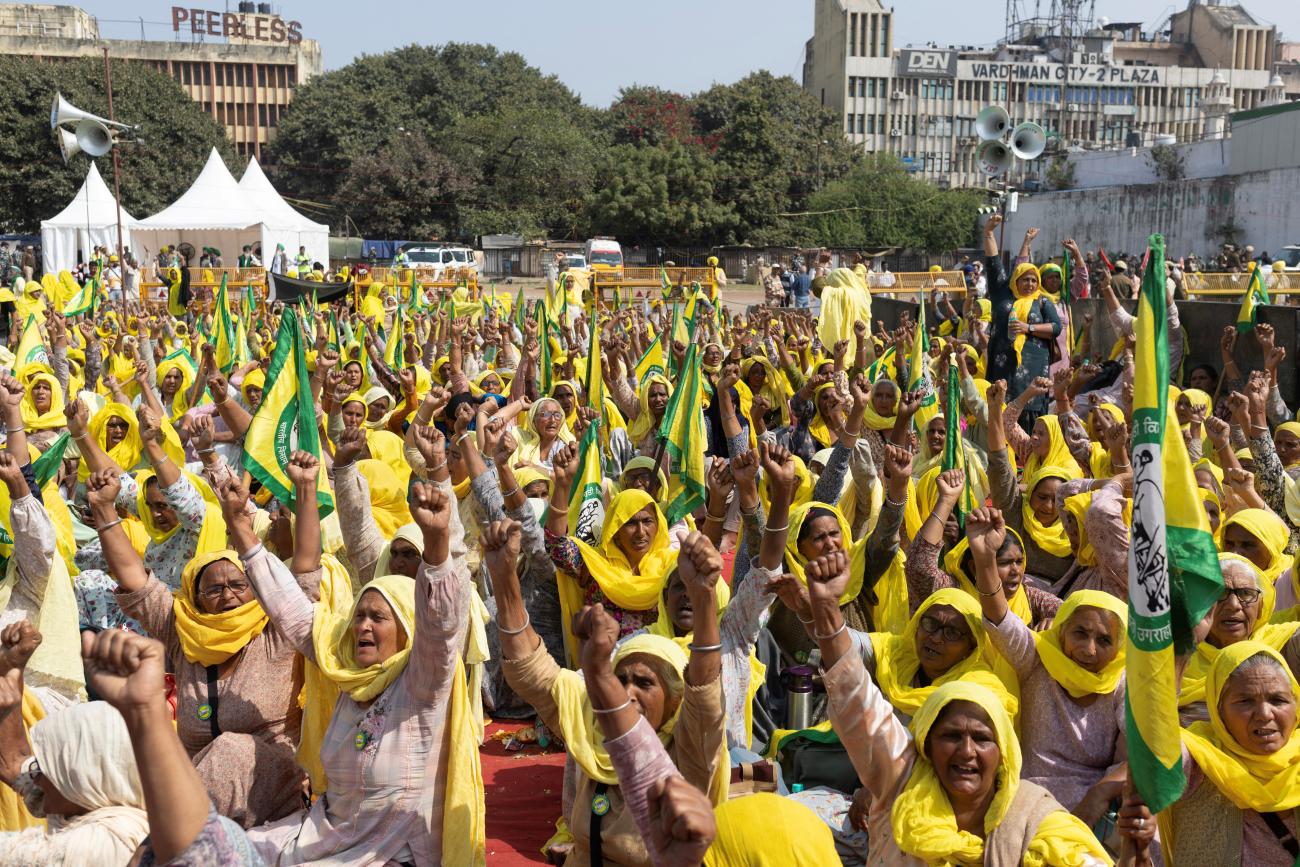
[679,697]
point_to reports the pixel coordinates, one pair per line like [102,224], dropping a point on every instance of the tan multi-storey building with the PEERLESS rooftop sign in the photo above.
[241,67]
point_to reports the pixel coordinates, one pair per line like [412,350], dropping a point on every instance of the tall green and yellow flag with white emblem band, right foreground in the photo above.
[1173,565]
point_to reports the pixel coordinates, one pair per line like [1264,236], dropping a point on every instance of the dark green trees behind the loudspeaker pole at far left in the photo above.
[177,137]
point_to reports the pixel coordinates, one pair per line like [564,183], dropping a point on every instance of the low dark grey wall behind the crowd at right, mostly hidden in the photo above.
[1202,326]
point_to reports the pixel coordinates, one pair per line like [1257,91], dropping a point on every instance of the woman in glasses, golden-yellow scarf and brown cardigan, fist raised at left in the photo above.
[236,684]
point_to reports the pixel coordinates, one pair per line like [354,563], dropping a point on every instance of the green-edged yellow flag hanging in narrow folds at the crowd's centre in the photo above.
[686,439]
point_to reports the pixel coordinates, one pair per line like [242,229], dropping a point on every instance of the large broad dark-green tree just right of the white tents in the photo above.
[501,122]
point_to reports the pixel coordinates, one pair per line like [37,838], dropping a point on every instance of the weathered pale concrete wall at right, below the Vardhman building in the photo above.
[1190,214]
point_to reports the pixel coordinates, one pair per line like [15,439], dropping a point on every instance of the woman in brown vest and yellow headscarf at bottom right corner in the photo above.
[1243,775]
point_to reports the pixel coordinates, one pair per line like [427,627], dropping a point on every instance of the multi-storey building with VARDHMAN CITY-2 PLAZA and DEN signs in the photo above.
[1090,85]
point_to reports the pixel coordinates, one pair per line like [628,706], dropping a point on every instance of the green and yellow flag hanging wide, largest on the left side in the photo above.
[287,421]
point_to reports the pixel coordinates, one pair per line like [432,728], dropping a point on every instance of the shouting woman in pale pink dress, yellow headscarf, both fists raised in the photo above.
[402,722]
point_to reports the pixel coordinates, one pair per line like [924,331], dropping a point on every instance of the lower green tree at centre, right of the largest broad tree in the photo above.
[660,196]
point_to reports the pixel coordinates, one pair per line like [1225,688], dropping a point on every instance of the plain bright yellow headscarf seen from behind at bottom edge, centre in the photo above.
[792,835]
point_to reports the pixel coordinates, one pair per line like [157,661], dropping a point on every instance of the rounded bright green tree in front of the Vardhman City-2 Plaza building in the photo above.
[878,205]
